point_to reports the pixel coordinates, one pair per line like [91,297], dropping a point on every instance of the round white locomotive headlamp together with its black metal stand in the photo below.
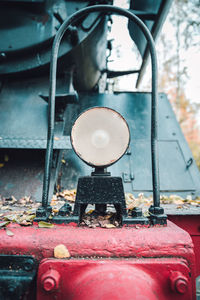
[100,136]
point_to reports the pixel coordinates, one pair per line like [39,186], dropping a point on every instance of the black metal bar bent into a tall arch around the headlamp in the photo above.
[52,89]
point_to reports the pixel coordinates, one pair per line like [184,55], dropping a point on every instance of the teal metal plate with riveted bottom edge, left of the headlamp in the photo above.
[23,116]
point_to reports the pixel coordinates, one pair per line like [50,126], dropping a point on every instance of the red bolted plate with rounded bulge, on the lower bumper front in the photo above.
[117,279]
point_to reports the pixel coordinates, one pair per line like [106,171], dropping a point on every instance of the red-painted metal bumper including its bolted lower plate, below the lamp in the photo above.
[127,261]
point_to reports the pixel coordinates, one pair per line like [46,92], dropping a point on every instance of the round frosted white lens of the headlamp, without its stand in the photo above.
[100,136]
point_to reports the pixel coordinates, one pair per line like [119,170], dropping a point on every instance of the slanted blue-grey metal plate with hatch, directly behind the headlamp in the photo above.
[174,152]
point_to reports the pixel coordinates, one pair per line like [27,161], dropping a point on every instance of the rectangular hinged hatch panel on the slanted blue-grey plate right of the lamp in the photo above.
[174,176]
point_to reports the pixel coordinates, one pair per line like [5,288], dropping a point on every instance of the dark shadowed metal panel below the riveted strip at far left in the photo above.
[22,174]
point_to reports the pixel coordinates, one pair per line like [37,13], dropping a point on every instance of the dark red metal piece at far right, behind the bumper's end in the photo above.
[191,224]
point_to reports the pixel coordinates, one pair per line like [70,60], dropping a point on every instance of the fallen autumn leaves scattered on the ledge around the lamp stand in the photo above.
[22,211]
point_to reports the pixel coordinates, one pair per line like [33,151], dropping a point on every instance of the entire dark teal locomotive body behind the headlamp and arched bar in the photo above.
[26,35]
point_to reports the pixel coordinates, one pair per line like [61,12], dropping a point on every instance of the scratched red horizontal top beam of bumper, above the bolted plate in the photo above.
[151,243]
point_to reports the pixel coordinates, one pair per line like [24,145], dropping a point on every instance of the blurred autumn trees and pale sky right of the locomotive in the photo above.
[185,32]
